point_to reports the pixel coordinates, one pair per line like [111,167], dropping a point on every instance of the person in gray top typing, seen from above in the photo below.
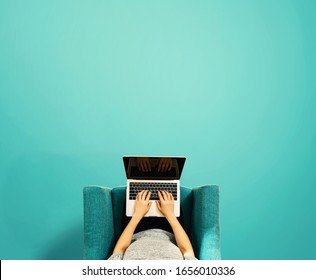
[153,243]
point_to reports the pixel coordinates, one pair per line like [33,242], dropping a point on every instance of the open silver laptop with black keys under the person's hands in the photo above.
[153,174]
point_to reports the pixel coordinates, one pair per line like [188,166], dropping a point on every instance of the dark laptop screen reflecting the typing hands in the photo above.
[153,168]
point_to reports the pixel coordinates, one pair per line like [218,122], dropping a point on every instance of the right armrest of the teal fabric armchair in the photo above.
[205,227]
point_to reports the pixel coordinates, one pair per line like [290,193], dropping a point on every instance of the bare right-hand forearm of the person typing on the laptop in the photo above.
[181,237]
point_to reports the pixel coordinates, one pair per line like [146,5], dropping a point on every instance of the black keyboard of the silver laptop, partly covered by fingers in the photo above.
[136,187]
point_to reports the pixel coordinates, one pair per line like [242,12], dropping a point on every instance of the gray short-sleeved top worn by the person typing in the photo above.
[152,244]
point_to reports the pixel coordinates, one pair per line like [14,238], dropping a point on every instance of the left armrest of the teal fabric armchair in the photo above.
[98,223]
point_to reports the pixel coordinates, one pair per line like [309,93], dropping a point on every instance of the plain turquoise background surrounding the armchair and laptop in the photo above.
[229,84]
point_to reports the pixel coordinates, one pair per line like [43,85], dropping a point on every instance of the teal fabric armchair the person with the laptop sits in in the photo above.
[104,207]
